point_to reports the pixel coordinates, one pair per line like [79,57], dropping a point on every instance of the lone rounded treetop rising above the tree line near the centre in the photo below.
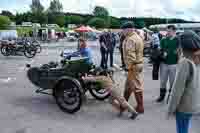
[100,11]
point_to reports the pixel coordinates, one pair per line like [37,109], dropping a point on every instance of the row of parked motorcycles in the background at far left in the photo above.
[28,48]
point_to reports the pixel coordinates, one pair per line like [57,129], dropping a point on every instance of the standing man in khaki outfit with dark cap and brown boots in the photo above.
[133,47]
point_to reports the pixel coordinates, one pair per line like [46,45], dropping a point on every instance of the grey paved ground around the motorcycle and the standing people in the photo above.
[23,111]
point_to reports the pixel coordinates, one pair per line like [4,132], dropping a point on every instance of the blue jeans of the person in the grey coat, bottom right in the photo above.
[183,122]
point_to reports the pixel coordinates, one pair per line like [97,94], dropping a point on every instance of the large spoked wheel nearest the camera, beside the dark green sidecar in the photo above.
[68,97]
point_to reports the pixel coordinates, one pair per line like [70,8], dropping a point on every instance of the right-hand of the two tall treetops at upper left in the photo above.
[55,6]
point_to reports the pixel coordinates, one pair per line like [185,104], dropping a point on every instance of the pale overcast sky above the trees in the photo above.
[186,9]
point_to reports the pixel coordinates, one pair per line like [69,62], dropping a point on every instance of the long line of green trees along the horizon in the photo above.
[100,18]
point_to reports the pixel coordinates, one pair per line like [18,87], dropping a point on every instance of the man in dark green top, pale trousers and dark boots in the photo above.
[169,47]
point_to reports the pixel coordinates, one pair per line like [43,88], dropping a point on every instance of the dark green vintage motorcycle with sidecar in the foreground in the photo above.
[64,79]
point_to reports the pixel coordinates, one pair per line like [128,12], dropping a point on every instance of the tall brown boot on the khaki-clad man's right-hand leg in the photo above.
[140,104]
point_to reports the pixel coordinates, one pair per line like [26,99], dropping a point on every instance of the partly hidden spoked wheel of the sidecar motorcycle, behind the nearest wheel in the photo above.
[99,94]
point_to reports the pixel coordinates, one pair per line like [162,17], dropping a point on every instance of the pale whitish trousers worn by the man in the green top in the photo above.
[167,72]
